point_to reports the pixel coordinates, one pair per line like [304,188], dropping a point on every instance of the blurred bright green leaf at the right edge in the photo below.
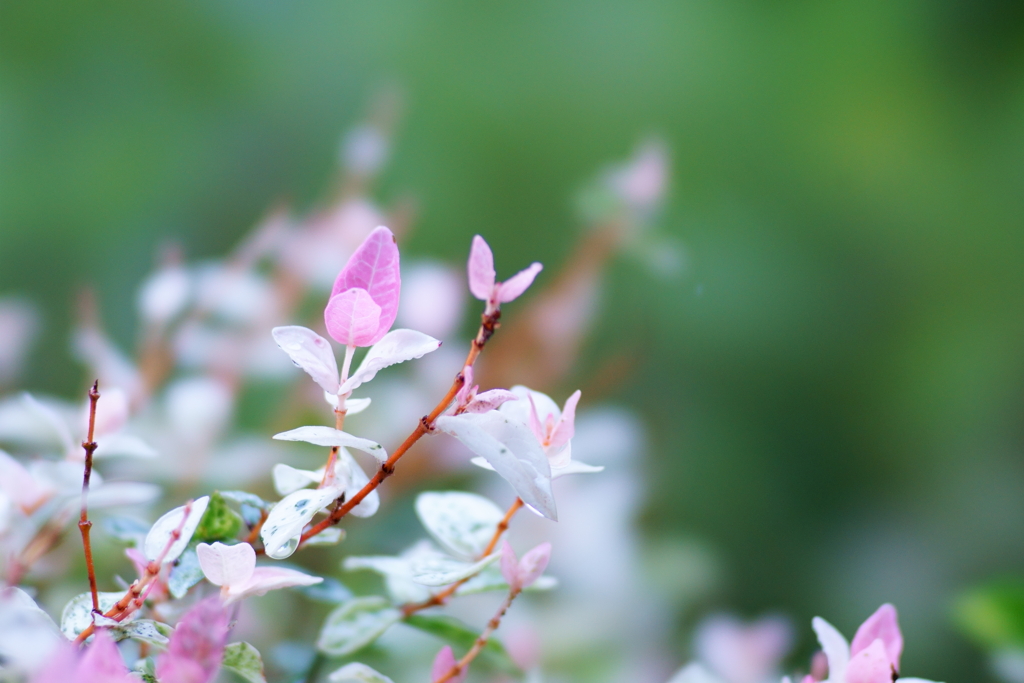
[994,615]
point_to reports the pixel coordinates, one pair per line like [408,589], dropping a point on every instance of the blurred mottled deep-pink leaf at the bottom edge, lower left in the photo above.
[197,647]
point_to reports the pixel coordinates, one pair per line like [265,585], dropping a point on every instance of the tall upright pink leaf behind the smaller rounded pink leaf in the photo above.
[374,268]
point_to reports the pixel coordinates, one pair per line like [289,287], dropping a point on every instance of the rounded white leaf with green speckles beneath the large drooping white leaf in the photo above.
[462,524]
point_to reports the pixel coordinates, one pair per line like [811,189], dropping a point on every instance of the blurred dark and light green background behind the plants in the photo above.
[834,386]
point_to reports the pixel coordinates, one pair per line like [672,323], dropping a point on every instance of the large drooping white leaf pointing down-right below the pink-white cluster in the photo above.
[511,450]
